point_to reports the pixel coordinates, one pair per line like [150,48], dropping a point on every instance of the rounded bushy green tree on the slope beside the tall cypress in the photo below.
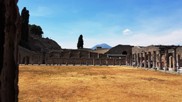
[36,30]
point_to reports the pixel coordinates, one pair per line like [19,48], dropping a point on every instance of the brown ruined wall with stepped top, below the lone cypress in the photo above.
[80,57]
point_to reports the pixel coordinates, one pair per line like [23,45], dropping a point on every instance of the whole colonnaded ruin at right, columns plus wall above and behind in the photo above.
[159,56]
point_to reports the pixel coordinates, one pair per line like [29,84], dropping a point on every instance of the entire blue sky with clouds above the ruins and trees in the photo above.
[134,22]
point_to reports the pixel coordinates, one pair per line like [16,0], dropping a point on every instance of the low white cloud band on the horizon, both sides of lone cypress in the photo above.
[137,39]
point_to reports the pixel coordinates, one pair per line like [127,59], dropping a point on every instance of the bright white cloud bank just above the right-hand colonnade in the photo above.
[170,38]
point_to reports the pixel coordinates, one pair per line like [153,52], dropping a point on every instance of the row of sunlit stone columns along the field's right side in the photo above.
[154,60]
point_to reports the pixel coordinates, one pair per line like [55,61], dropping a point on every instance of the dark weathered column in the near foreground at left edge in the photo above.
[9,31]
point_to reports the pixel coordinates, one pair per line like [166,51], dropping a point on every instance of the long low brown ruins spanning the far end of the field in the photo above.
[76,57]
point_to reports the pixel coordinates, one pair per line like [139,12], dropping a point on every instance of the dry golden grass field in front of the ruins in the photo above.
[97,84]
